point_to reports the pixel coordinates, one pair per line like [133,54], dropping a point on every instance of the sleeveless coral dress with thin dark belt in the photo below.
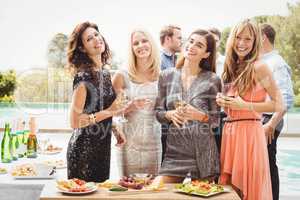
[244,155]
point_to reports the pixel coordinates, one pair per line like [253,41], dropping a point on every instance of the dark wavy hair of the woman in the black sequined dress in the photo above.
[79,60]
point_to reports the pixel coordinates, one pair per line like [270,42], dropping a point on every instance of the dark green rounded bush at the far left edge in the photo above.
[7,83]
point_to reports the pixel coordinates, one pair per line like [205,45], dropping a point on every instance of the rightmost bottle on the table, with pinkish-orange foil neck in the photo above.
[32,140]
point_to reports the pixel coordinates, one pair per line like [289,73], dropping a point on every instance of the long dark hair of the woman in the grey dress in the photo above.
[208,63]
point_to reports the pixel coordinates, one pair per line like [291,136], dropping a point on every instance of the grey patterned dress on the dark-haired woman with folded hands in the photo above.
[191,148]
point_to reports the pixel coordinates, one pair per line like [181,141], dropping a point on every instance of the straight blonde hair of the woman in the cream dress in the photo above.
[153,68]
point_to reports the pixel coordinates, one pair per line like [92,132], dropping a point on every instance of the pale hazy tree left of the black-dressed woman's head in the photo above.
[57,51]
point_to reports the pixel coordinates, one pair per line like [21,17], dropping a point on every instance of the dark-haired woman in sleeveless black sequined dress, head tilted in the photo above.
[93,105]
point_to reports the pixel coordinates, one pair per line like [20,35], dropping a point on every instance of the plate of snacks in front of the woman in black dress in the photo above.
[75,185]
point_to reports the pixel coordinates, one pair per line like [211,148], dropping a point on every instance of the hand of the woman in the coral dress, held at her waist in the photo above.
[234,103]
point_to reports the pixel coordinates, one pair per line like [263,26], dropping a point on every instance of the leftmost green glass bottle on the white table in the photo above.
[6,145]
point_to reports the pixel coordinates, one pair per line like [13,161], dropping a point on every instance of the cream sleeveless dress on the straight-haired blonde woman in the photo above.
[142,151]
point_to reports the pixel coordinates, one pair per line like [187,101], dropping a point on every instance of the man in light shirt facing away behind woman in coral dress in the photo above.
[273,122]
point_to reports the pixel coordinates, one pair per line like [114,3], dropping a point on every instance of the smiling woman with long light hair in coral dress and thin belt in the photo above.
[244,156]
